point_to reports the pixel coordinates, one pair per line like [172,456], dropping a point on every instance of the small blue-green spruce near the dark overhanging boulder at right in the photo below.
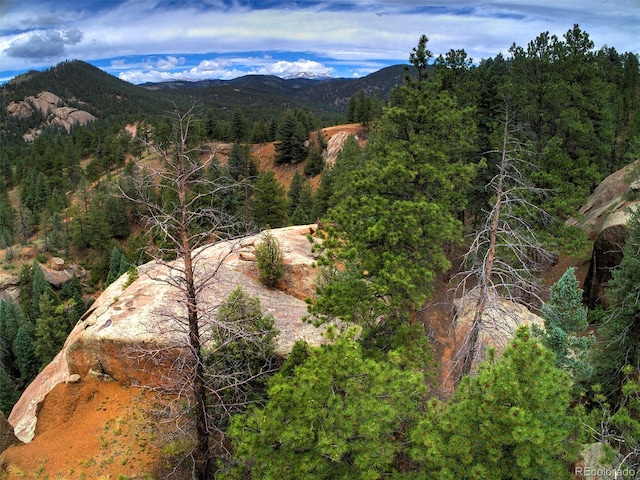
[565,319]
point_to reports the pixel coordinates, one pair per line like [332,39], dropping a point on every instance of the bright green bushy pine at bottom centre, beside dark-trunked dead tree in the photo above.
[337,414]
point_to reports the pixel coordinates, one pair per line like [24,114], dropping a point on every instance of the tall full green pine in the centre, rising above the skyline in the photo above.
[388,233]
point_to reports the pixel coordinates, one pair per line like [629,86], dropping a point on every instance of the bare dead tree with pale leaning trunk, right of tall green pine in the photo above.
[505,254]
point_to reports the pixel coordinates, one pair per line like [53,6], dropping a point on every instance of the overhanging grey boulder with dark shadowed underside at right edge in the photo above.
[604,219]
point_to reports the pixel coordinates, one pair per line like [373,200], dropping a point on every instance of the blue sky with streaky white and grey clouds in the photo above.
[160,40]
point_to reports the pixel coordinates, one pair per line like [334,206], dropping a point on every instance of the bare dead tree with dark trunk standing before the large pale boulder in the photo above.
[179,203]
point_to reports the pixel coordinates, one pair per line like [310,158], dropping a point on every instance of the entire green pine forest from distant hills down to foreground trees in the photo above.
[504,150]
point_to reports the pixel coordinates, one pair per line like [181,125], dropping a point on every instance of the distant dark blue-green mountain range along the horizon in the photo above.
[86,83]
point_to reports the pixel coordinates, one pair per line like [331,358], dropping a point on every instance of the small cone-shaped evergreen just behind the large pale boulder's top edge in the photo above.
[269,207]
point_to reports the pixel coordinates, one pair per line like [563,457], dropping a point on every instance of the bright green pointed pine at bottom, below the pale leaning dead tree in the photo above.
[510,421]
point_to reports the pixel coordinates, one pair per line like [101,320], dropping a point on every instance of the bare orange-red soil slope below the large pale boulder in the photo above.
[88,430]
